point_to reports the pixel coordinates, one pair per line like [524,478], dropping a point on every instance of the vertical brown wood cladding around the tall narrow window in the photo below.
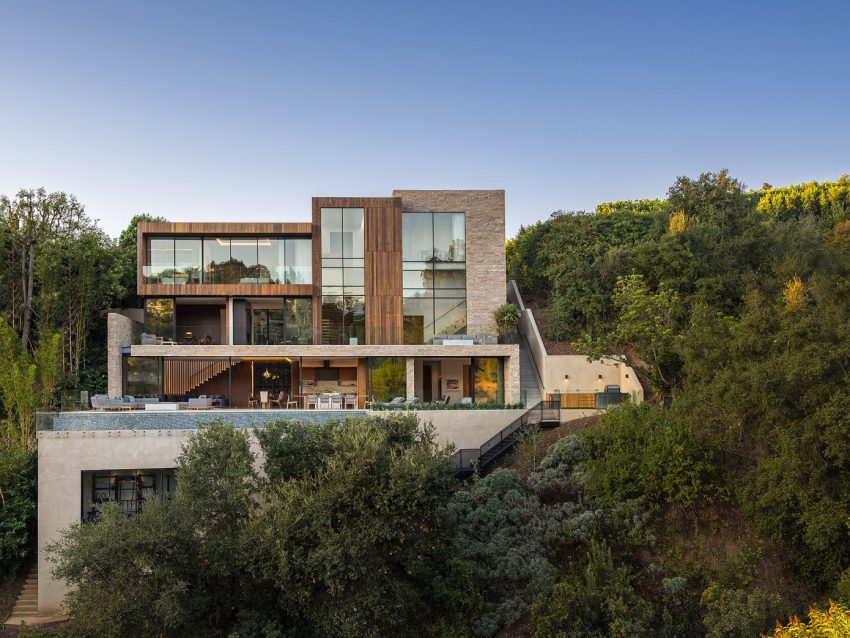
[382,262]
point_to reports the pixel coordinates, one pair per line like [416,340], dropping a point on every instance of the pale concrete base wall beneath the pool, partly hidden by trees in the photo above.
[64,455]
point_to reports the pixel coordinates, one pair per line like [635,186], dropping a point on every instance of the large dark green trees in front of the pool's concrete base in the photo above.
[352,541]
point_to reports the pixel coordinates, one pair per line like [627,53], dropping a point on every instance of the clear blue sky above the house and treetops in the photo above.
[243,111]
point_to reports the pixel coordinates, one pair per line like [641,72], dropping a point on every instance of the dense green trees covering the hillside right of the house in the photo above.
[735,305]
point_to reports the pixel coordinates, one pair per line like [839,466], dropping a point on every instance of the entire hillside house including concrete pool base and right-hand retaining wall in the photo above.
[371,300]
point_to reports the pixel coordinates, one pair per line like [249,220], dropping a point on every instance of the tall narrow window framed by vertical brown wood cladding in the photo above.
[343,305]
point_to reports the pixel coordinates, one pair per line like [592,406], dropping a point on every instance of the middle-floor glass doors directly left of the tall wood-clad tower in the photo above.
[282,320]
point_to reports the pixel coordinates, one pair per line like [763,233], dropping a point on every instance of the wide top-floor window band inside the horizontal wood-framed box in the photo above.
[228,260]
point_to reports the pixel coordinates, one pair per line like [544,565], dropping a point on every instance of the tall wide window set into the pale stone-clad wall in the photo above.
[434,277]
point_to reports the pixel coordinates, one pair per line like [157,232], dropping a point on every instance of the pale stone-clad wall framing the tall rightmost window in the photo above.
[485,246]
